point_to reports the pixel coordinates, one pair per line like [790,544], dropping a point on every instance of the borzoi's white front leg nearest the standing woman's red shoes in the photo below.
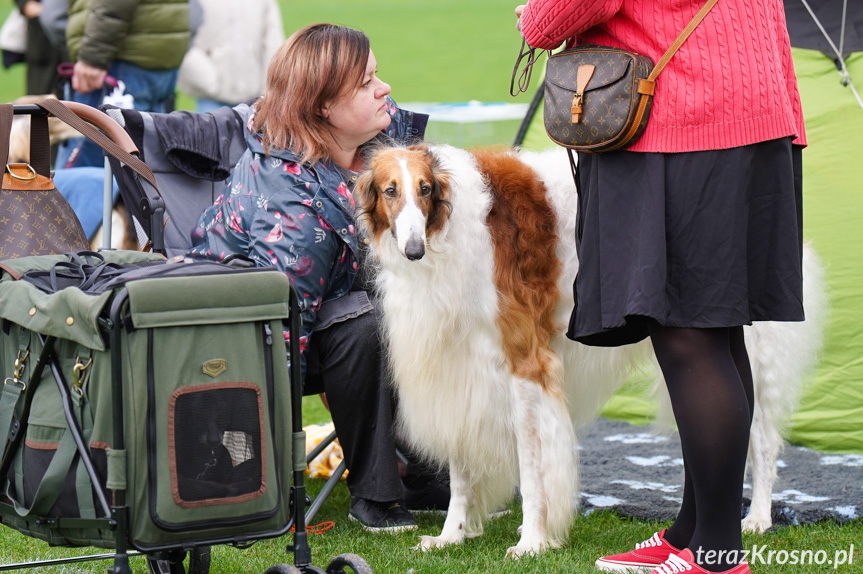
[534,538]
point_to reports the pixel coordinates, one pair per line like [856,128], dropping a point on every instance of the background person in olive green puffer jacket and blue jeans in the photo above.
[140,43]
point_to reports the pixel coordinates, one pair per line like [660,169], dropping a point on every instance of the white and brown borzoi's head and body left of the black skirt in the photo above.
[476,260]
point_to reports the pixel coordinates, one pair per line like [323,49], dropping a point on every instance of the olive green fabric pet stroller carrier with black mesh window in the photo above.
[205,406]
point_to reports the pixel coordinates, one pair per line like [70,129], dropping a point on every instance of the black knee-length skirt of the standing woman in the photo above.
[699,239]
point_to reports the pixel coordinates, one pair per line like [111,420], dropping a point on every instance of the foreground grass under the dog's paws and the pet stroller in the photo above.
[593,535]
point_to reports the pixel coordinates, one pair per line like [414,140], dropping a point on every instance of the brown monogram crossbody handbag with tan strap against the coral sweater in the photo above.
[598,98]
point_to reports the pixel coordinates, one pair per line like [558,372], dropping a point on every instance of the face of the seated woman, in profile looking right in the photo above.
[358,116]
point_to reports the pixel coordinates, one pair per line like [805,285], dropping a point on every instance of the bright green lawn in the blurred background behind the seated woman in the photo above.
[441,51]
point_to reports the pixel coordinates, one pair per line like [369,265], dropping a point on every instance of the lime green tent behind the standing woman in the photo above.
[830,417]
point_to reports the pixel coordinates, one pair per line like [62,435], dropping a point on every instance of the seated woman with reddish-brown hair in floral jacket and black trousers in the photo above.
[288,204]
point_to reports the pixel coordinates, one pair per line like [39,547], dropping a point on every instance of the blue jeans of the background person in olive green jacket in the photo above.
[153,90]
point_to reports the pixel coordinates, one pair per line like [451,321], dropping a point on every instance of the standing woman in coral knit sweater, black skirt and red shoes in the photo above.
[691,233]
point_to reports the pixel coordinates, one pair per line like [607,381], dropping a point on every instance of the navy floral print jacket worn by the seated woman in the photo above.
[296,217]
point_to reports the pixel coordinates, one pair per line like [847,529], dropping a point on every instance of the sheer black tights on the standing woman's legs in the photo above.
[709,380]
